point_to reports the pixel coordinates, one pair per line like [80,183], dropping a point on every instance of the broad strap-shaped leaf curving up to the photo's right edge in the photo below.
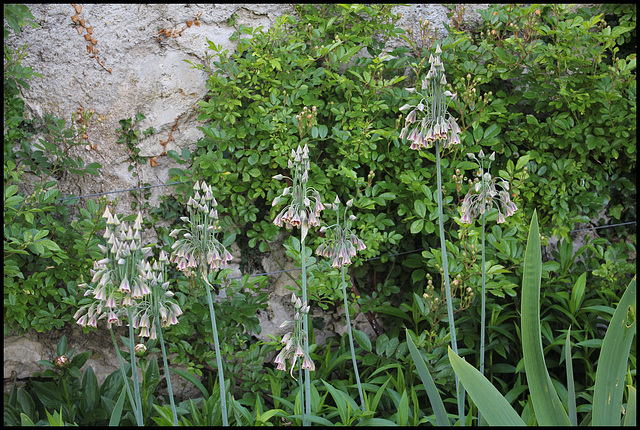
[614,356]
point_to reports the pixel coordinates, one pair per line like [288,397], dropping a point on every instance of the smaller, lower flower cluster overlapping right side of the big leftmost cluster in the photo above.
[159,302]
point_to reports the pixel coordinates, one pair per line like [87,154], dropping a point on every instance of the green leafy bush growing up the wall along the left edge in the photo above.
[46,248]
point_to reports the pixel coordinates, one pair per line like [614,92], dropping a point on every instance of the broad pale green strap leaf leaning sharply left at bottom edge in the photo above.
[494,408]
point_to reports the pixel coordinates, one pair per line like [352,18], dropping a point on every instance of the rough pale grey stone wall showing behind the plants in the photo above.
[139,71]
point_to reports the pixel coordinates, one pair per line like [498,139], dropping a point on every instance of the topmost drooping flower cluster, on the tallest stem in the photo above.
[429,120]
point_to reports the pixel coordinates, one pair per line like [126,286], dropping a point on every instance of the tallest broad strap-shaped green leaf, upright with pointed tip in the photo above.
[546,403]
